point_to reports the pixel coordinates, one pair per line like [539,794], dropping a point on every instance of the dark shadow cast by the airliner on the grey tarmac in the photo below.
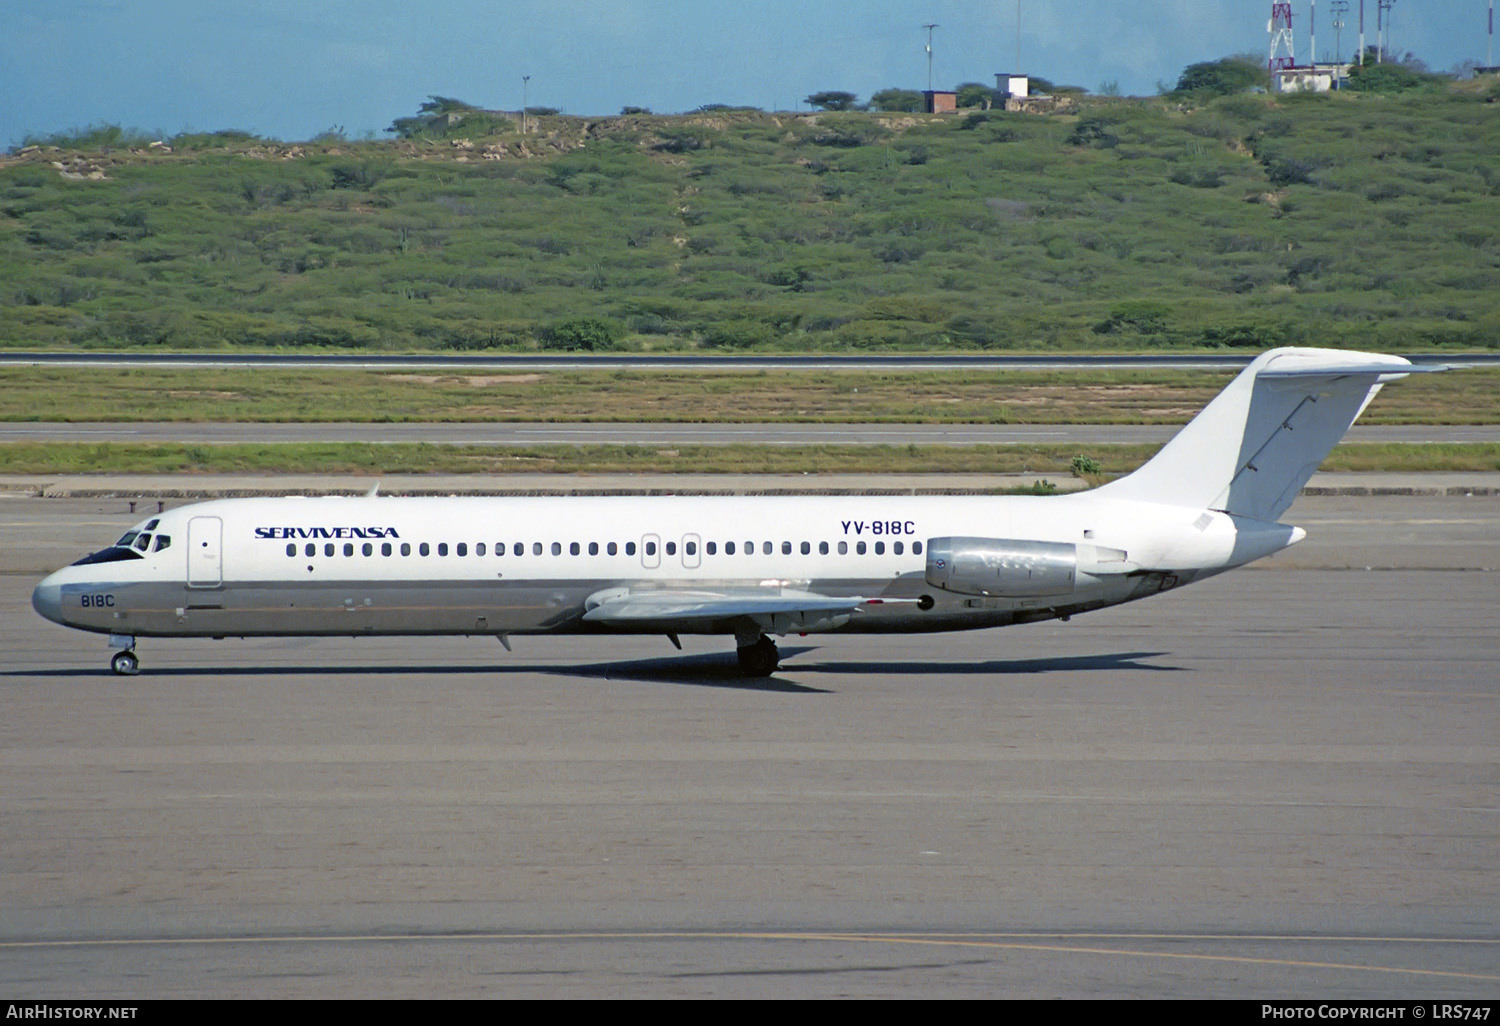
[712,670]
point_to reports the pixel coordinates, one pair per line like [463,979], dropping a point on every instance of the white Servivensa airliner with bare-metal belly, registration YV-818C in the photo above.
[743,568]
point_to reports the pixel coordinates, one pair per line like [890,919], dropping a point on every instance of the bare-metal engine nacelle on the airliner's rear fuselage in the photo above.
[1003,568]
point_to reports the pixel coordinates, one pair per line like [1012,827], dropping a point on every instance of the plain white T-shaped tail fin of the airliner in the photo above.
[1259,442]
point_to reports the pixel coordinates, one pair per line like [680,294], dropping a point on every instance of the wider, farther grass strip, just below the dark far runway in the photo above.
[680,397]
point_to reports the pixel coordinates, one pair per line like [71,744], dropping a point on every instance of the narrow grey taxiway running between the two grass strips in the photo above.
[673,434]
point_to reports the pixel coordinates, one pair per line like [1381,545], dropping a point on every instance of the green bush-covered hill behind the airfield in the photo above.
[1249,221]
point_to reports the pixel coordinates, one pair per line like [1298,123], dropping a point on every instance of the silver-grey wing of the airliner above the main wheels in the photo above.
[712,611]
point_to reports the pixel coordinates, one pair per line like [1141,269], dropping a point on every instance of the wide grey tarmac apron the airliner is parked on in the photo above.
[1277,782]
